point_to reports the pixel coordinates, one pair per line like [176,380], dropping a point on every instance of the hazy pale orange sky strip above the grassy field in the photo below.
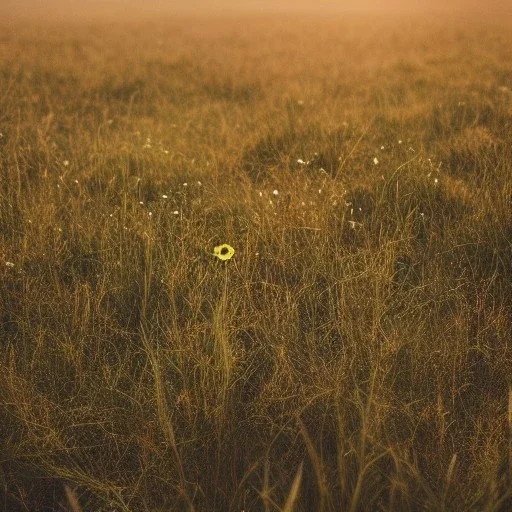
[84,9]
